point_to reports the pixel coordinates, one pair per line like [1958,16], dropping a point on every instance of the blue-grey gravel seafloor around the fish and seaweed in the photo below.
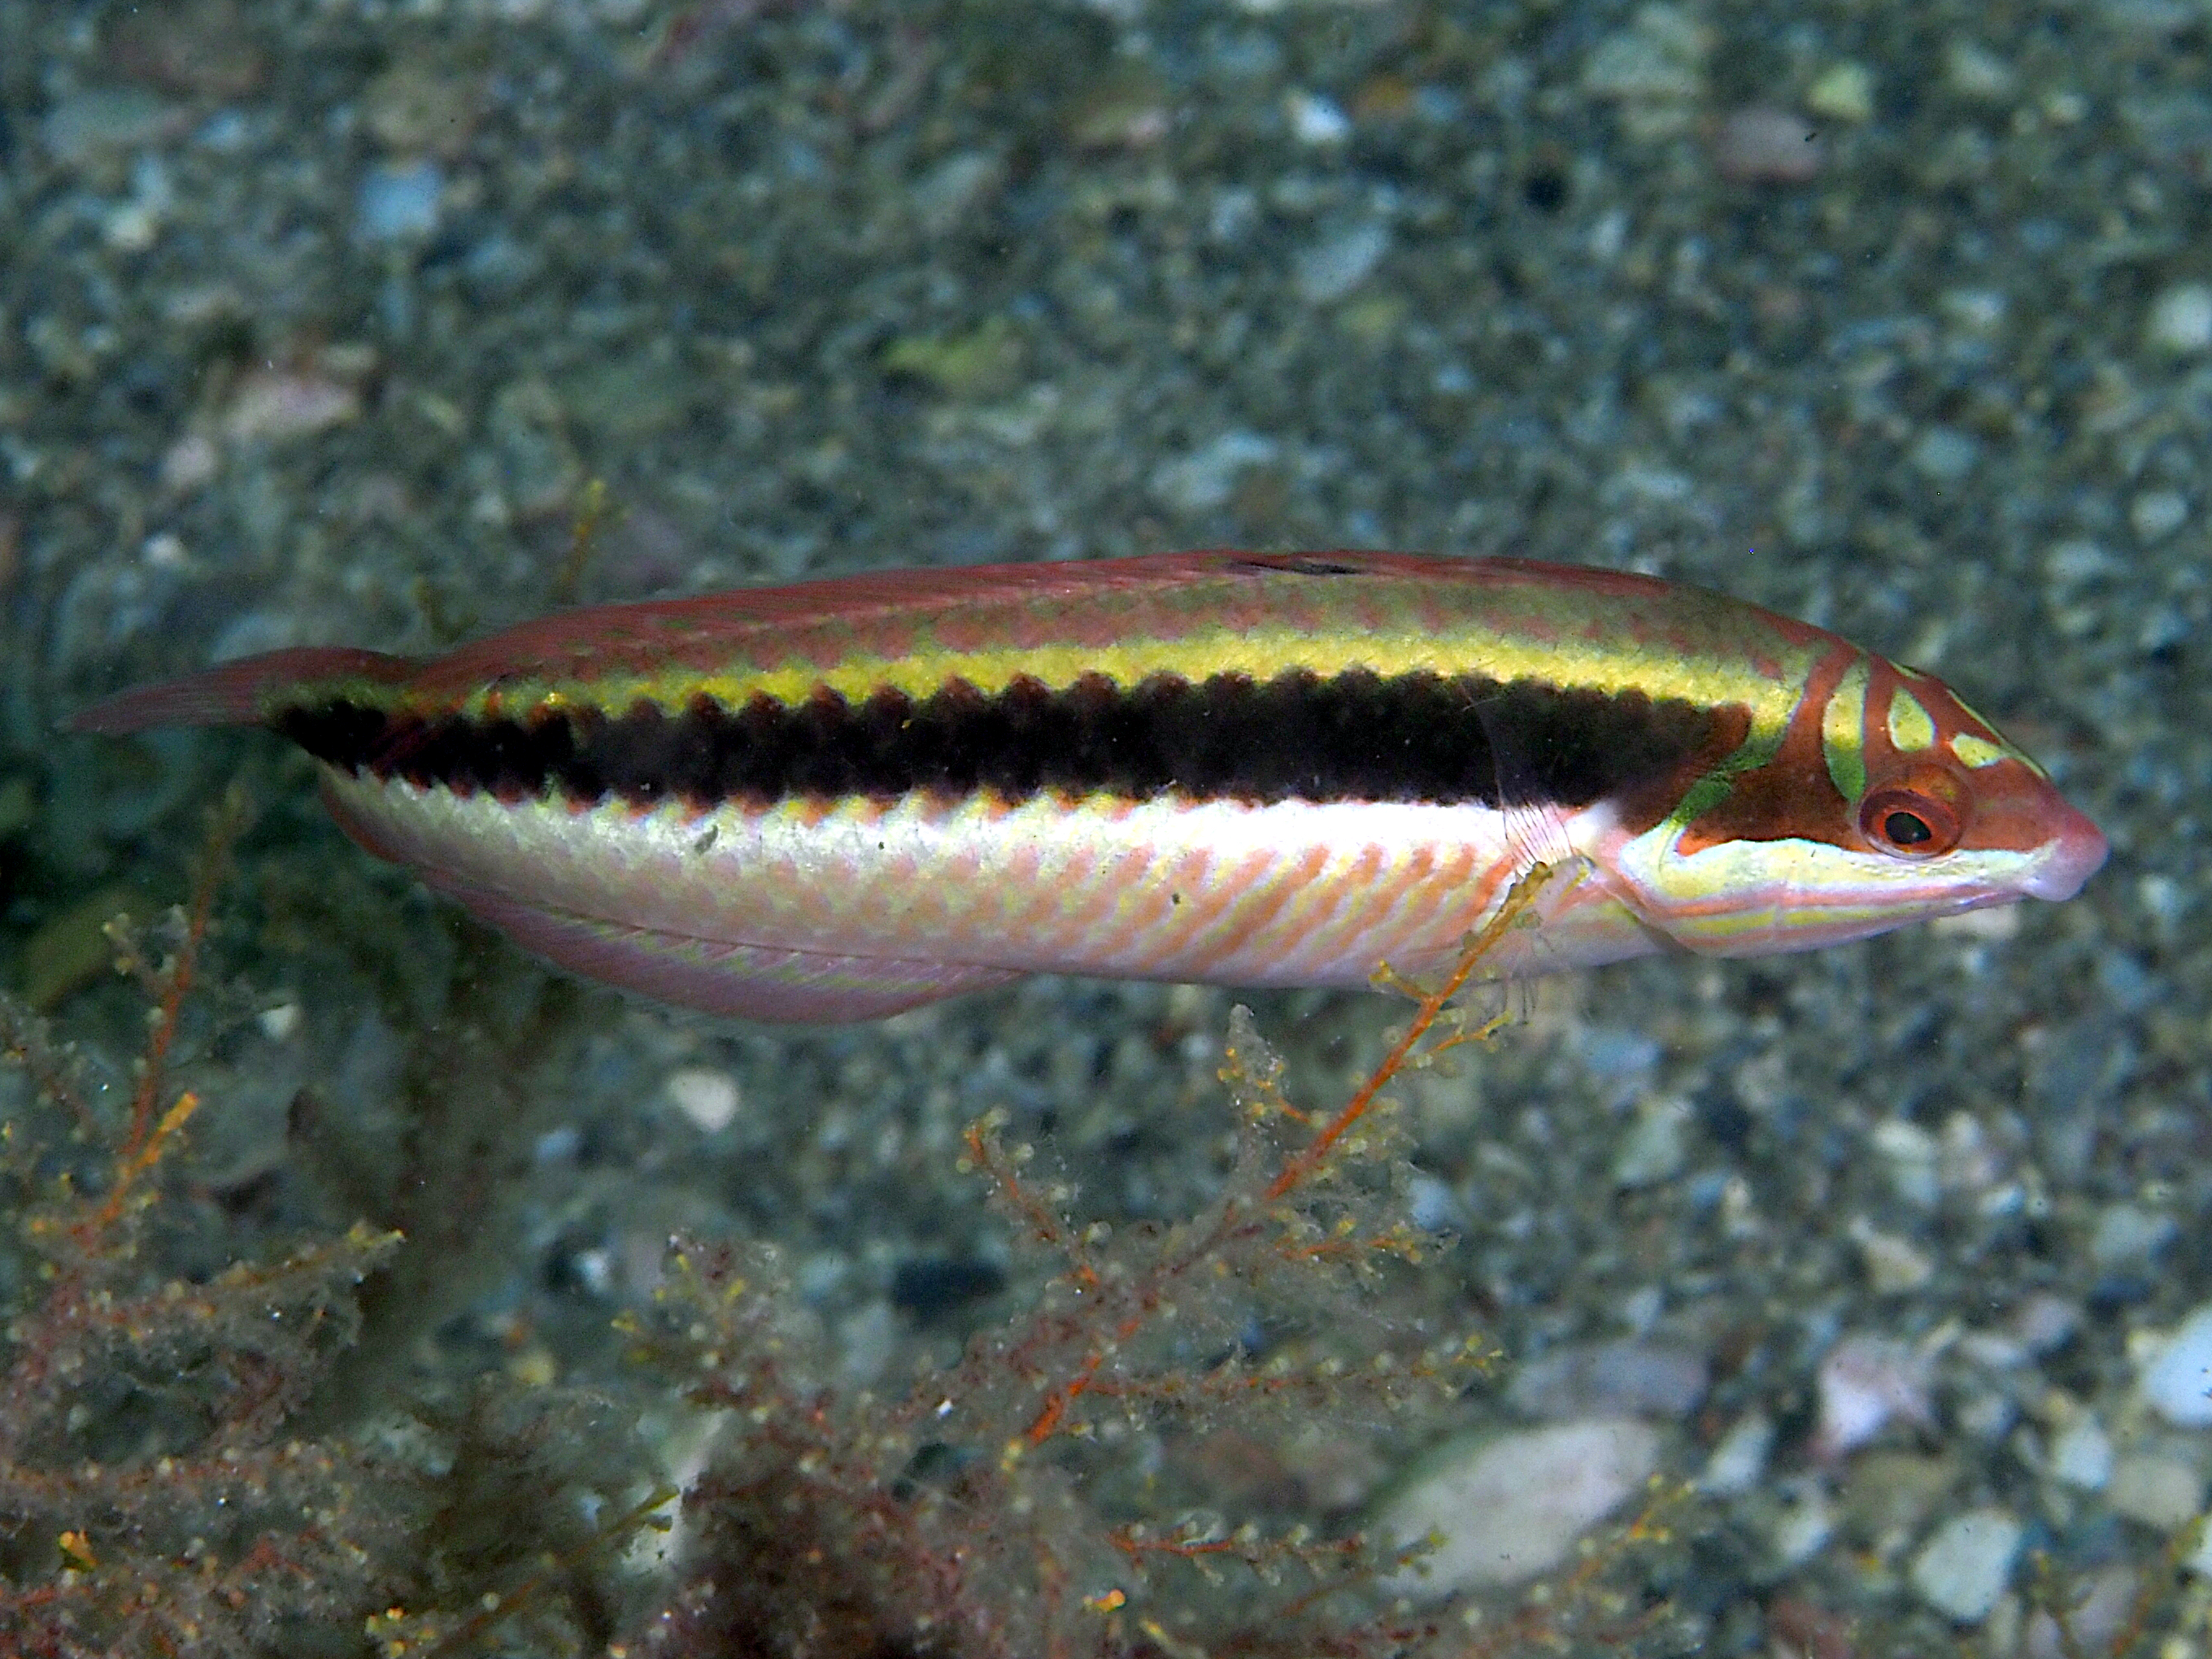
[317,322]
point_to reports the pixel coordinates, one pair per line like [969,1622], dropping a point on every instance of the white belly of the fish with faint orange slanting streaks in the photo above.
[919,897]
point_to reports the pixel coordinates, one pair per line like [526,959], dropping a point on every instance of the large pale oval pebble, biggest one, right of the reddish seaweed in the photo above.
[1512,1507]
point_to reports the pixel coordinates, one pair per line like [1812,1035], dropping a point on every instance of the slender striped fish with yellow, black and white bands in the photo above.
[851,797]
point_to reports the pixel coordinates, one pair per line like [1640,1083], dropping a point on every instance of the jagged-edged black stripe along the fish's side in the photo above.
[1297,738]
